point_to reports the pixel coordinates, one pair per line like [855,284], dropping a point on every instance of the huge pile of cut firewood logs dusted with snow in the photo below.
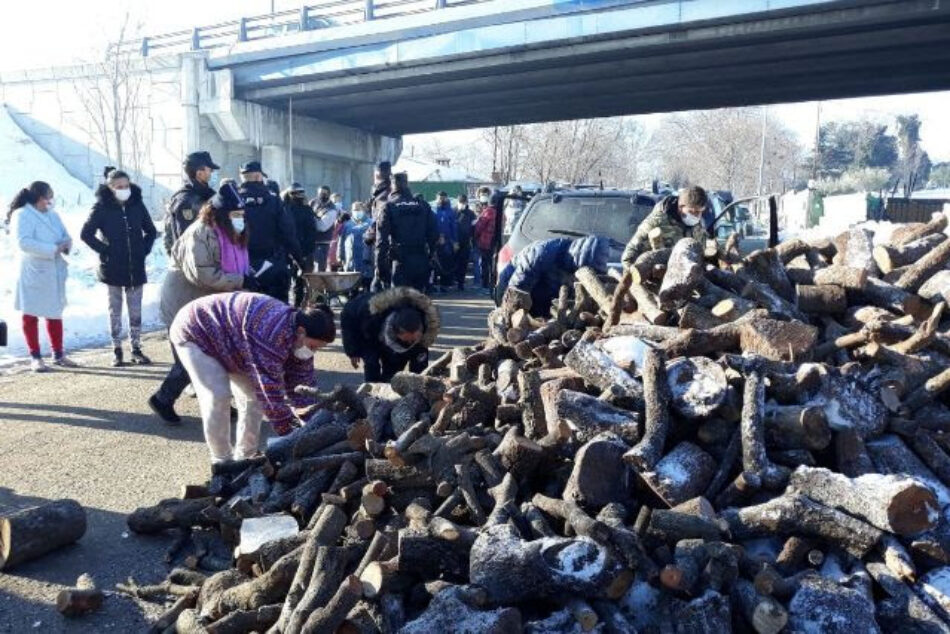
[708,443]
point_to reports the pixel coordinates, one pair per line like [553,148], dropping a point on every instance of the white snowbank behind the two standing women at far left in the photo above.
[85,321]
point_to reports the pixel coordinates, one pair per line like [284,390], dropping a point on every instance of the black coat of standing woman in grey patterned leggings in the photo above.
[122,235]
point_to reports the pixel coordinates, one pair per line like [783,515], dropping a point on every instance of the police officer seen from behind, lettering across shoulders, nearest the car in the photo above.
[407,235]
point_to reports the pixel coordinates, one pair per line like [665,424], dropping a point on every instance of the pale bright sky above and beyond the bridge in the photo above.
[66,32]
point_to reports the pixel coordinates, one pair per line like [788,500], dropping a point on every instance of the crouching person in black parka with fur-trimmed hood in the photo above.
[388,331]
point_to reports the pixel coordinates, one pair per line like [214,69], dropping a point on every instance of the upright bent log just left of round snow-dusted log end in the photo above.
[656,395]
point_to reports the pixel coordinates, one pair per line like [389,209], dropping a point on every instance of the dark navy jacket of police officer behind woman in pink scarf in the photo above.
[270,229]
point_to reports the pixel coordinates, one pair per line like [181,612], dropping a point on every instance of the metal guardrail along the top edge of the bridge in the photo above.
[310,17]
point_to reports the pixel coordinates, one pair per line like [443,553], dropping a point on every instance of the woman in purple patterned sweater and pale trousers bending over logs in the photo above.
[256,349]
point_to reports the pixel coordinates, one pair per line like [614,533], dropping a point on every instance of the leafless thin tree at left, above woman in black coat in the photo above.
[111,91]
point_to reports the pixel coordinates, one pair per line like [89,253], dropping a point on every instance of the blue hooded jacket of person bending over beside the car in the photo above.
[544,265]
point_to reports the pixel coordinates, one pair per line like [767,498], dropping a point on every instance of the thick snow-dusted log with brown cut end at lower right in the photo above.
[896,504]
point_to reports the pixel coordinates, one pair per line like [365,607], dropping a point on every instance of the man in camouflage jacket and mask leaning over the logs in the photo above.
[673,218]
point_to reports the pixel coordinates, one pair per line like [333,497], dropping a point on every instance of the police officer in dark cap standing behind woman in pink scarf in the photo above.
[272,236]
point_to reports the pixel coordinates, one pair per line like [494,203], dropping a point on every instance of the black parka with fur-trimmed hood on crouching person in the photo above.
[364,320]
